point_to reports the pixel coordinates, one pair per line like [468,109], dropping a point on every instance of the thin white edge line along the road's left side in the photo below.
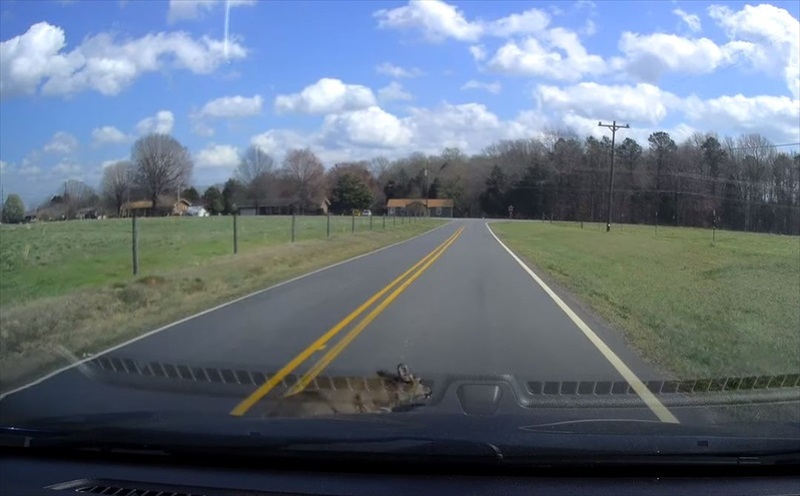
[210,310]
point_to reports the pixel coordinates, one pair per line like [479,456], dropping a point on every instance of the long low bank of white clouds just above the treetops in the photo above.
[356,135]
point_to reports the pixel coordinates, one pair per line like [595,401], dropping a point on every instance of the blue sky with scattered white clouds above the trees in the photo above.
[80,81]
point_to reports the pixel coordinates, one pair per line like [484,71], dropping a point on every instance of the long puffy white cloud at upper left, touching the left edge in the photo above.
[100,63]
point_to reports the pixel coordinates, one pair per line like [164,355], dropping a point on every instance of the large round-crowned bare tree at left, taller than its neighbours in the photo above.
[161,163]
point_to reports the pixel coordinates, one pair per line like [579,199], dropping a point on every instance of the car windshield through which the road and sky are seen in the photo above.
[494,220]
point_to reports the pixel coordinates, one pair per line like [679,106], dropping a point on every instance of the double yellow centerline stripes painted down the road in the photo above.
[275,379]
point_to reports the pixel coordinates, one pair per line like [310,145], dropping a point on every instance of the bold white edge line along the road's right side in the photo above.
[638,386]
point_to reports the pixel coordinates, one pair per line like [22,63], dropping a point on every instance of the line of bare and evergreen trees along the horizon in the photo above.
[744,183]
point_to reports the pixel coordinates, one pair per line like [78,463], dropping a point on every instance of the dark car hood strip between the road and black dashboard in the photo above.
[415,437]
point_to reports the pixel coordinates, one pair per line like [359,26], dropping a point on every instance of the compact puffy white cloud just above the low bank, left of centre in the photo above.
[326,96]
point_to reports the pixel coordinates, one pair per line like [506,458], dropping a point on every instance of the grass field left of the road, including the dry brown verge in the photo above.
[69,284]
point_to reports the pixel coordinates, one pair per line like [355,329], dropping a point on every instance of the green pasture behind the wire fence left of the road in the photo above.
[55,258]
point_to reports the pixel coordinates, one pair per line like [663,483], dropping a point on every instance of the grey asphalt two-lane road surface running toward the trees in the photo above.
[473,311]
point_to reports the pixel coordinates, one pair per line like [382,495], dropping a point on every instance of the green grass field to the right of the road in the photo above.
[696,309]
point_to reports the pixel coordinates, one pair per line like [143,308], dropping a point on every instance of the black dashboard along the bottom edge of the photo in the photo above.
[132,474]
